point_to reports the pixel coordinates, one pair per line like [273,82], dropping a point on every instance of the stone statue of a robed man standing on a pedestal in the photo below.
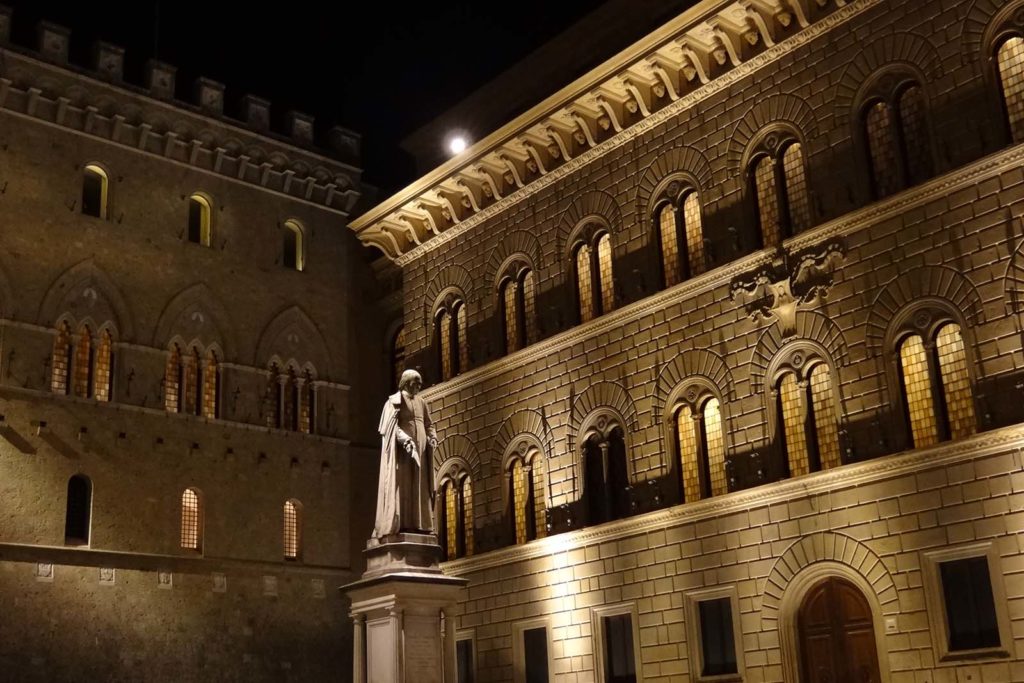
[405,494]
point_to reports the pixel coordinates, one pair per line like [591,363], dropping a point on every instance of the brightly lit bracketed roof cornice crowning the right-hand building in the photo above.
[702,52]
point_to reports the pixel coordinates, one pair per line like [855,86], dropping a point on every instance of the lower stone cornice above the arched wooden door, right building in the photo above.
[845,478]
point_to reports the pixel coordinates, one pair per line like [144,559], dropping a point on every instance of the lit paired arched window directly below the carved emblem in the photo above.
[806,419]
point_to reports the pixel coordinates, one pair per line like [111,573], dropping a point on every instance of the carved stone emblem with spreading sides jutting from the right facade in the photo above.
[776,291]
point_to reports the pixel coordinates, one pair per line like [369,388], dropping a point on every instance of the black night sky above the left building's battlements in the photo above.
[381,69]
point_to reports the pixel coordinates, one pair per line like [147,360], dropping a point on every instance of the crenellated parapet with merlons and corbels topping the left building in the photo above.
[42,84]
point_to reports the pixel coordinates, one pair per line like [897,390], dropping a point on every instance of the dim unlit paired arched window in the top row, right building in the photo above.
[897,135]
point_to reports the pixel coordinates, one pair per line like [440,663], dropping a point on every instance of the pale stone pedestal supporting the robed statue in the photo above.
[404,611]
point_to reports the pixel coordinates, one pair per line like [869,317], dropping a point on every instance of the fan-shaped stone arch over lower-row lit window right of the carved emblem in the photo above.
[928,282]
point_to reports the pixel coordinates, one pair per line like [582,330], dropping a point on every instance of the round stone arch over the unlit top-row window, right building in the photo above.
[900,49]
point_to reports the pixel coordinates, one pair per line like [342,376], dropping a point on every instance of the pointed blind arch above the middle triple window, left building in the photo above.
[196,313]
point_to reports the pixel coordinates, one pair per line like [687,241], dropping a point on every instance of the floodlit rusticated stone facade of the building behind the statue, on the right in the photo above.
[726,345]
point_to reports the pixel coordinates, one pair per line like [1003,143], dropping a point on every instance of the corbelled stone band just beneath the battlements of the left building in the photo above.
[55,96]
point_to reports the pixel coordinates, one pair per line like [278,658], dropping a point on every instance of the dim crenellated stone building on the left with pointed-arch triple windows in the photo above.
[181,478]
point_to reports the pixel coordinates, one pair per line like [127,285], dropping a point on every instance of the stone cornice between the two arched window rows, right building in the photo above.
[842,227]
